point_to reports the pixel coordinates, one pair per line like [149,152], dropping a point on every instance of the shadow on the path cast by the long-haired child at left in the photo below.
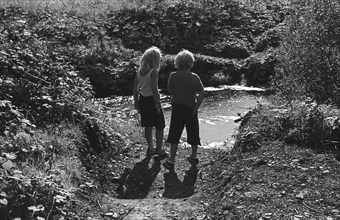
[135,183]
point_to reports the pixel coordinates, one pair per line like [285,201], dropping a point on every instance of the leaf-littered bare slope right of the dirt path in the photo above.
[278,181]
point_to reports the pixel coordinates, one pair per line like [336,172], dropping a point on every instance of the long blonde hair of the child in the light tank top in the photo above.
[150,59]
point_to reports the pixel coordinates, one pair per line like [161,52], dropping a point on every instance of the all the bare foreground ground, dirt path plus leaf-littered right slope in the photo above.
[278,181]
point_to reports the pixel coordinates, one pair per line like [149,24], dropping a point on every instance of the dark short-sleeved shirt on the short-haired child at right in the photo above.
[183,86]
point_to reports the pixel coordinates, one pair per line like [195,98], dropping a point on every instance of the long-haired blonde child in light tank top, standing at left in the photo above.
[147,100]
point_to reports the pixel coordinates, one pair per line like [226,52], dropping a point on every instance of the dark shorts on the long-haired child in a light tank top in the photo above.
[149,115]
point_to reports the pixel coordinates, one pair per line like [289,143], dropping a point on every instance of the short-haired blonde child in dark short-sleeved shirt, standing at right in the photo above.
[187,93]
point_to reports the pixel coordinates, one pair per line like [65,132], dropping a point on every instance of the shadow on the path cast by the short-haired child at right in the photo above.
[176,189]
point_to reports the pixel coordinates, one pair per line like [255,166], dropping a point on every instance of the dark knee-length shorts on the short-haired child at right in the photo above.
[181,116]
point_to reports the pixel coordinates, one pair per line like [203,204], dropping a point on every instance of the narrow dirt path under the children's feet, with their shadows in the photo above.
[148,191]
